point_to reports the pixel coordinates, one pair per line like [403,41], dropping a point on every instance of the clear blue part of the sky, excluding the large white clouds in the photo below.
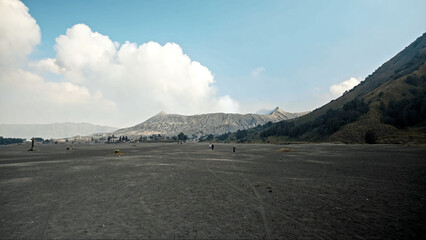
[261,53]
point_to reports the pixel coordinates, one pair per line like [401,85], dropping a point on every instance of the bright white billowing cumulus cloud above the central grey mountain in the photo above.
[141,79]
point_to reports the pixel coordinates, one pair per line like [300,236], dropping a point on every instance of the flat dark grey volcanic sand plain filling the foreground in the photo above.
[164,190]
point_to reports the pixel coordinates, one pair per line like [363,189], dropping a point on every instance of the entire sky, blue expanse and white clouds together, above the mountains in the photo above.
[117,63]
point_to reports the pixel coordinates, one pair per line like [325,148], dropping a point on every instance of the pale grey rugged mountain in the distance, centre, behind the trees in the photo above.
[201,125]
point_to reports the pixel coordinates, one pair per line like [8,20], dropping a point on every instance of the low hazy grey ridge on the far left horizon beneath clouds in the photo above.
[54,130]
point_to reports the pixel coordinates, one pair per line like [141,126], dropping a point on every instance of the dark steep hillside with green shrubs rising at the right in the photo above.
[388,106]
